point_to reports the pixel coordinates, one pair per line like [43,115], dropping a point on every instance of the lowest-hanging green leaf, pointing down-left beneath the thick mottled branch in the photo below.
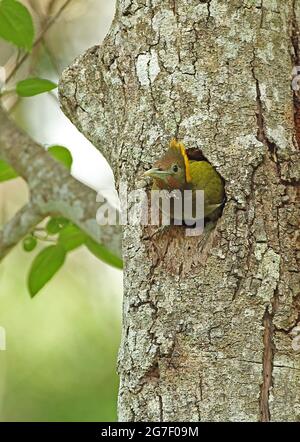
[44,266]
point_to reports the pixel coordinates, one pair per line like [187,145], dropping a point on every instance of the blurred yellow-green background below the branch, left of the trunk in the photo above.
[61,347]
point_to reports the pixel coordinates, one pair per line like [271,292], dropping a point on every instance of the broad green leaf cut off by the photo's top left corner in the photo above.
[16,25]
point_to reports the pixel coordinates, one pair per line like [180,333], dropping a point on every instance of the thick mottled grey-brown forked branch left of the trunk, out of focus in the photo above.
[53,191]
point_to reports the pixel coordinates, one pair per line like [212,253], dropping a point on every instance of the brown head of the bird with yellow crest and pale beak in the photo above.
[172,170]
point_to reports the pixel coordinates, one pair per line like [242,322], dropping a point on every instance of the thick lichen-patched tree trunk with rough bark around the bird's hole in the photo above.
[208,334]
